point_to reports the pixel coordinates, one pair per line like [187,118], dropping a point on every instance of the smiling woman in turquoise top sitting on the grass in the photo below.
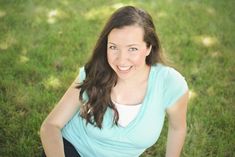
[117,104]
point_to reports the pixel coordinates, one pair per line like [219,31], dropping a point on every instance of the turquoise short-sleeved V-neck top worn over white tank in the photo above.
[165,87]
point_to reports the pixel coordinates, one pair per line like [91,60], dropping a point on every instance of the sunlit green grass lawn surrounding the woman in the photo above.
[43,43]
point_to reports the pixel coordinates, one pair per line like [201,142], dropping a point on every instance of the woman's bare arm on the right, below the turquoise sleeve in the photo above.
[177,126]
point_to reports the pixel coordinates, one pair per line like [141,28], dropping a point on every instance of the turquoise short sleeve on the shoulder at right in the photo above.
[175,86]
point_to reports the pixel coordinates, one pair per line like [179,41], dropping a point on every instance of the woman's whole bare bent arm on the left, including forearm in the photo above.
[50,131]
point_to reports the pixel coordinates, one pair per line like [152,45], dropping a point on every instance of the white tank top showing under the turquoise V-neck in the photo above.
[127,113]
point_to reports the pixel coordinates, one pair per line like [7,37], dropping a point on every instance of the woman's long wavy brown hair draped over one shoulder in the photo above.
[100,78]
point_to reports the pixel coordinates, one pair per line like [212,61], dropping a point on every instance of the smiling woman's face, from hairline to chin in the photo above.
[127,51]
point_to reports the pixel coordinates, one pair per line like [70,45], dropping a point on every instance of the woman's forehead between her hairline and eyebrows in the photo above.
[126,35]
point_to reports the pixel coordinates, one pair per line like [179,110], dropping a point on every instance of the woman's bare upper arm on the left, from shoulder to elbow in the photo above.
[65,108]
